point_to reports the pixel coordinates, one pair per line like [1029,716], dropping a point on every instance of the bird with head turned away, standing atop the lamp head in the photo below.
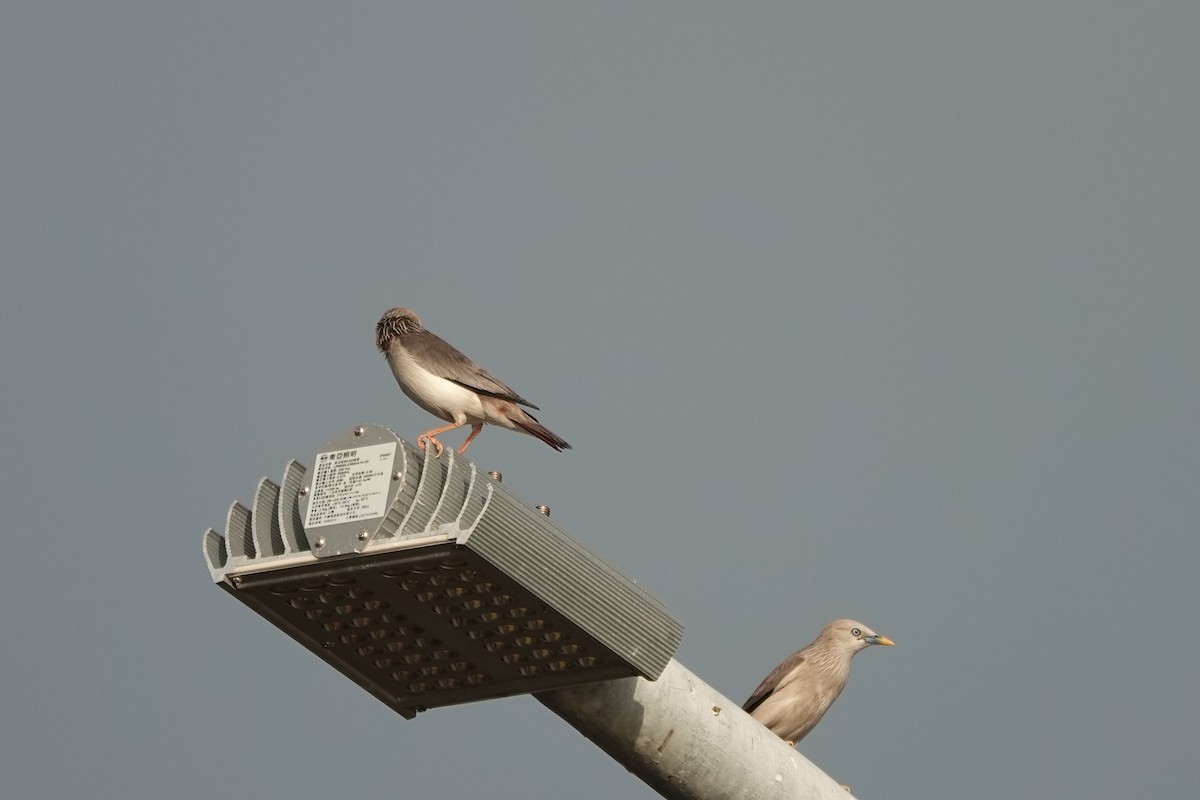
[452,387]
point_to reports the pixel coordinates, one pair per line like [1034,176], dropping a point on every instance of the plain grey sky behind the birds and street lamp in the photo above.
[877,310]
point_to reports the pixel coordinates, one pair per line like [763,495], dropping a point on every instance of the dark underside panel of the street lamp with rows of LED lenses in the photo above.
[437,631]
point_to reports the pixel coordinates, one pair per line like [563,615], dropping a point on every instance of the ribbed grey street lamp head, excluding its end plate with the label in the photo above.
[461,592]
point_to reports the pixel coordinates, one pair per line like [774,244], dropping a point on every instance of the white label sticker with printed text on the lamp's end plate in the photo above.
[351,485]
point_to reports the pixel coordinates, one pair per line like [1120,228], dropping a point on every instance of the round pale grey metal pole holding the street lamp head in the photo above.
[688,742]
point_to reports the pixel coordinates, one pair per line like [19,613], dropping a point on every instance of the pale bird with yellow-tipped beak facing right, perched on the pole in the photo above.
[797,694]
